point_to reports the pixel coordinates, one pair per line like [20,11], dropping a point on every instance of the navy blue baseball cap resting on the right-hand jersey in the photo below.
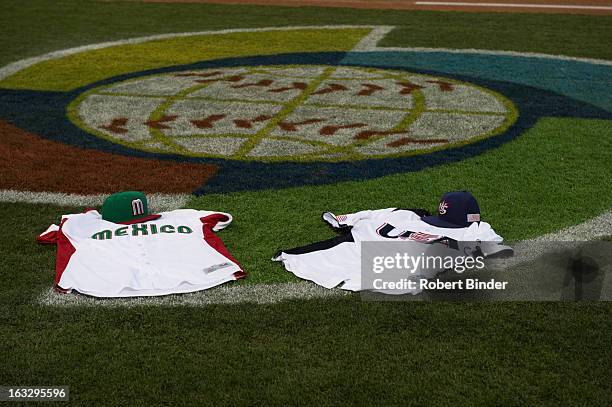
[457,209]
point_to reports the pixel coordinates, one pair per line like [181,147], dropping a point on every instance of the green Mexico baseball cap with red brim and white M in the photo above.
[127,207]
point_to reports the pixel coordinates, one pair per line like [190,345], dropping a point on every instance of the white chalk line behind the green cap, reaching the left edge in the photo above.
[157,202]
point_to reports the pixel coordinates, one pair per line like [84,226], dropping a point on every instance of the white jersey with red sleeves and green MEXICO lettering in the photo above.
[177,253]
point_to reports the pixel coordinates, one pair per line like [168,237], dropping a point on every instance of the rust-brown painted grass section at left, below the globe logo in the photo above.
[32,163]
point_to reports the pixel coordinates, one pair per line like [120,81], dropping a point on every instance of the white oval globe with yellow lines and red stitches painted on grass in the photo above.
[304,113]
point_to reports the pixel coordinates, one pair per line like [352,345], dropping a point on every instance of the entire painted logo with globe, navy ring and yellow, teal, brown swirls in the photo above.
[317,105]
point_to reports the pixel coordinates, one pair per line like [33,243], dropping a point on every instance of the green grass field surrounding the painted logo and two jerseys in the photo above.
[327,352]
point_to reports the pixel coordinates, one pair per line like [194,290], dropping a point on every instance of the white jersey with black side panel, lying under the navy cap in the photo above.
[338,260]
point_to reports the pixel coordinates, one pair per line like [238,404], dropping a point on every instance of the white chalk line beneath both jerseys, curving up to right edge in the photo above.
[272,293]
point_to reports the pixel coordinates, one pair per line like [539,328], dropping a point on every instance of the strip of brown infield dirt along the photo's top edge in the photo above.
[411,5]
